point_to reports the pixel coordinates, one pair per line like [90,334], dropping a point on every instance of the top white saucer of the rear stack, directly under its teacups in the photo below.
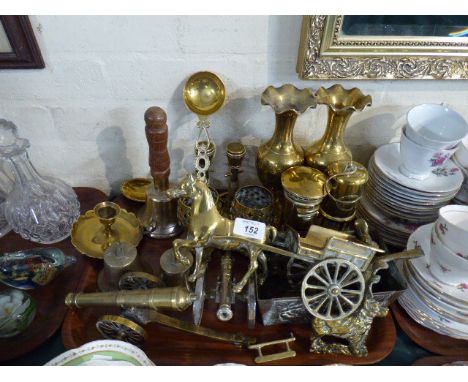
[447,178]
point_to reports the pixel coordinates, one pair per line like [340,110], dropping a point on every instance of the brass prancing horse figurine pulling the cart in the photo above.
[209,229]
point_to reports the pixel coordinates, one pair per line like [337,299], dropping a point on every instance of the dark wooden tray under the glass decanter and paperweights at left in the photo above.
[51,309]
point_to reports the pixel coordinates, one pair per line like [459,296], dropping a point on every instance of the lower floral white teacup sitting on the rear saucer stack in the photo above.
[418,161]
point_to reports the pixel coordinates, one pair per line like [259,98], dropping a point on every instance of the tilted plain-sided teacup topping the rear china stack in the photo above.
[436,126]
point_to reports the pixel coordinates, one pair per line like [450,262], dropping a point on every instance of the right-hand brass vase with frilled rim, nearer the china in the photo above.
[342,103]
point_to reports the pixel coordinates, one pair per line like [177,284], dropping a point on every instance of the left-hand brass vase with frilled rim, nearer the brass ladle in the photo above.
[281,152]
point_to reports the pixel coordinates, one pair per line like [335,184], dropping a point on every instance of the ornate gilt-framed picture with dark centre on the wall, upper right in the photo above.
[383,47]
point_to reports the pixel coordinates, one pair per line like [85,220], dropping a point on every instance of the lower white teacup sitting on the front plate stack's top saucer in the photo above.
[445,265]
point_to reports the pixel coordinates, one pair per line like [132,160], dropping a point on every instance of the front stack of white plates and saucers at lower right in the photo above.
[438,306]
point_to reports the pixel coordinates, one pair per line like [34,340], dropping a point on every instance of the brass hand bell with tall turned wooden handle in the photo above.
[159,215]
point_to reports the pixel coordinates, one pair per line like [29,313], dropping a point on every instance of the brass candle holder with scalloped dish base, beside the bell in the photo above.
[98,229]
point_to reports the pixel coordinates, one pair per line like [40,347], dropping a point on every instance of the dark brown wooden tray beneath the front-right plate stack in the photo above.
[426,338]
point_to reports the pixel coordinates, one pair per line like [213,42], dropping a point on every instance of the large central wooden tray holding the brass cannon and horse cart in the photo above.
[166,346]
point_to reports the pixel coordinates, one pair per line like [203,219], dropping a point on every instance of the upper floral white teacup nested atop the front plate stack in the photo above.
[452,229]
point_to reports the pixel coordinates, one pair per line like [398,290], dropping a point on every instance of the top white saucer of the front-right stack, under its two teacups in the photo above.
[421,238]
